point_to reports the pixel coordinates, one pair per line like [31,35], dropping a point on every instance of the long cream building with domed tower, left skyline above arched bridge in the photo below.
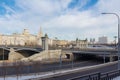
[22,39]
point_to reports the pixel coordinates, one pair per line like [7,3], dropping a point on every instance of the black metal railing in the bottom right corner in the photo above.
[98,76]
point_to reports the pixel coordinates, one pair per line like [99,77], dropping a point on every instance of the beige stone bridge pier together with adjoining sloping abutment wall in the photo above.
[44,55]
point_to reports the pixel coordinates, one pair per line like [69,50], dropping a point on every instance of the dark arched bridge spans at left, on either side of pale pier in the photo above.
[24,51]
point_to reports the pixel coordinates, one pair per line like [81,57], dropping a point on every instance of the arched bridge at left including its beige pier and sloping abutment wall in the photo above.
[29,54]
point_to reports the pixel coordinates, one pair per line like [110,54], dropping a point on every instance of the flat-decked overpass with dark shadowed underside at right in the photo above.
[102,54]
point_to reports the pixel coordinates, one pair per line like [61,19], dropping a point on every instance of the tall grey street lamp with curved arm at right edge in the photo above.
[118,36]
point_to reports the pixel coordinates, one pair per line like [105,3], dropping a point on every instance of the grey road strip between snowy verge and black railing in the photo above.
[102,69]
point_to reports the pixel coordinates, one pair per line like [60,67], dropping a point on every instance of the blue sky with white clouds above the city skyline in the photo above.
[64,19]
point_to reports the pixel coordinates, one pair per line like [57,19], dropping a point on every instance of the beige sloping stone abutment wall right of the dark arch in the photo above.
[45,55]
